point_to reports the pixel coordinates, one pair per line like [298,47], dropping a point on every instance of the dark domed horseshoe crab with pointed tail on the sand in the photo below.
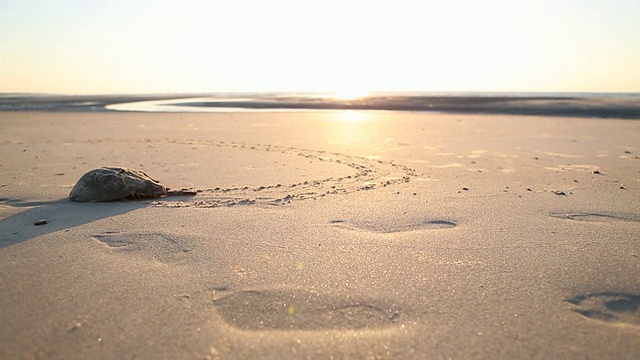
[116,183]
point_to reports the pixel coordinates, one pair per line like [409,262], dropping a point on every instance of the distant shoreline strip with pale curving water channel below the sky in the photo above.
[624,106]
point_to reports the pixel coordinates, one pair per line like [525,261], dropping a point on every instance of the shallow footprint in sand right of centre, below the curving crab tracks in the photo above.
[394,225]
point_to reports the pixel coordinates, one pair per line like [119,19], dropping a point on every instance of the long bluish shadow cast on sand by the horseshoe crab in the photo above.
[59,215]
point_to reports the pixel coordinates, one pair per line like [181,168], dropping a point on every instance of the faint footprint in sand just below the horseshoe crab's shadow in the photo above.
[161,247]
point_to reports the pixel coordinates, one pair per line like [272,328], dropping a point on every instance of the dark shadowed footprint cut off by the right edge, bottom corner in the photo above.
[609,307]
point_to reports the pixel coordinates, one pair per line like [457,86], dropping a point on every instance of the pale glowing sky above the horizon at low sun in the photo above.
[347,47]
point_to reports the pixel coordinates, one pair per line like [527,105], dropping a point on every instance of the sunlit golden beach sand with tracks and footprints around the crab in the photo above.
[322,235]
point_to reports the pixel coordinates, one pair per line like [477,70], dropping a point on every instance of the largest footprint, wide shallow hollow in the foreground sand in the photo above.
[302,310]
